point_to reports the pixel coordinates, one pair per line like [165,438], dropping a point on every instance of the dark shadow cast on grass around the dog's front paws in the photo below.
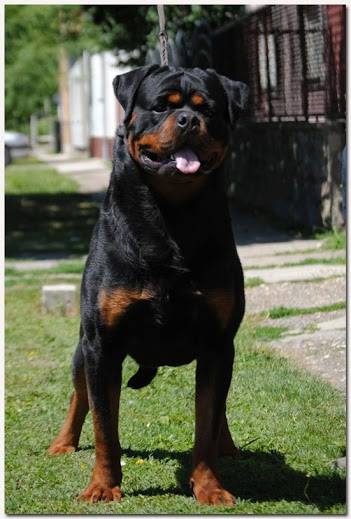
[254,475]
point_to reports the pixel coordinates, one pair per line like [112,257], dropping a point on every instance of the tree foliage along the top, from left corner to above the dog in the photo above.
[34,35]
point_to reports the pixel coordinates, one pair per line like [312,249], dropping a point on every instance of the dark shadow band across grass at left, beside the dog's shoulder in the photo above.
[49,226]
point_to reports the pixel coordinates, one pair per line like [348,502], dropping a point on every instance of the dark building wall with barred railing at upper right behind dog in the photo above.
[286,152]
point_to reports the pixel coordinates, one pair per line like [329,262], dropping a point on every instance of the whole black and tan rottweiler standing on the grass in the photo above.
[163,281]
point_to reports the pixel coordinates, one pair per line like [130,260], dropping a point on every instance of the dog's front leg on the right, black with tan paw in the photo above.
[213,376]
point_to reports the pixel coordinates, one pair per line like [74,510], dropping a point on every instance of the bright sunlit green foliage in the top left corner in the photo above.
[33,36]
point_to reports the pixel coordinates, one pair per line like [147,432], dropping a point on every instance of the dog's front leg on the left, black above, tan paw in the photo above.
[104,384]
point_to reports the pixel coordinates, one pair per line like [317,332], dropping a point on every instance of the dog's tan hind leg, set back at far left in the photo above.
[68,438]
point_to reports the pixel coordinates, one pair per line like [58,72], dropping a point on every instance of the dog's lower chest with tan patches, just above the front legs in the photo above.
[168,328]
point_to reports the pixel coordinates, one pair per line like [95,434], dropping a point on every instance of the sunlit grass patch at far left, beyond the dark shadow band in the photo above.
[28,177]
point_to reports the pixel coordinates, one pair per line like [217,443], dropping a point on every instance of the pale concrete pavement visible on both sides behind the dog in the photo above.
[316,342]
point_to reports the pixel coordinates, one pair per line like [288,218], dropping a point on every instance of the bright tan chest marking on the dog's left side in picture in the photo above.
[114,303]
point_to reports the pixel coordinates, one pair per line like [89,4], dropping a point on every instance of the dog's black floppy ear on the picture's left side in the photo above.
[126,86]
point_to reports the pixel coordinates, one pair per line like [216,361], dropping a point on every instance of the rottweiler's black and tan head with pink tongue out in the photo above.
[177,121]
